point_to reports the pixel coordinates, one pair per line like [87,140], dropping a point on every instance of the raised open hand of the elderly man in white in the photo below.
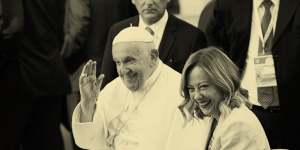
[89,86]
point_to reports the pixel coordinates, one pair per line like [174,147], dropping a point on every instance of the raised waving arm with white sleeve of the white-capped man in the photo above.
[88,122]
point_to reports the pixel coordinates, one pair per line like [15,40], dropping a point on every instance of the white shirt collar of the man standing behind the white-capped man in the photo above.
[157,26]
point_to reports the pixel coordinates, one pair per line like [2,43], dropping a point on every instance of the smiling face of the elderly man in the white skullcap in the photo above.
[133,64]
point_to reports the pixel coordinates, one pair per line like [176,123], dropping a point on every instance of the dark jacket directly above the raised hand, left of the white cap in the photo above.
[105,13]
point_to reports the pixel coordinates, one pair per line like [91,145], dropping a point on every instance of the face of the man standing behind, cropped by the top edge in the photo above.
[151,10]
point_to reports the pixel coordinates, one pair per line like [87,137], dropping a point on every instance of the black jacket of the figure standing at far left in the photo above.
[41,64]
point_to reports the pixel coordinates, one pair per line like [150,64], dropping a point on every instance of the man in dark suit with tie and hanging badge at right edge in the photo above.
[265,35]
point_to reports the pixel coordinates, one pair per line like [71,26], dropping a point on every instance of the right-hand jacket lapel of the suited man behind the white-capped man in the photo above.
[167,38]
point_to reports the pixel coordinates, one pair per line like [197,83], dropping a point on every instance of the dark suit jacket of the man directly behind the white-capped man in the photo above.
[179,40]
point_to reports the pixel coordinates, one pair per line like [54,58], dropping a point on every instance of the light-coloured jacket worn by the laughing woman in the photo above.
[240,130]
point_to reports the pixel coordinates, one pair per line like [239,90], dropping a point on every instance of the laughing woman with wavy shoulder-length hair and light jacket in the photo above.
[211,87]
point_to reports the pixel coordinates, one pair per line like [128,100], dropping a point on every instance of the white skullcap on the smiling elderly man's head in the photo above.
[133,34]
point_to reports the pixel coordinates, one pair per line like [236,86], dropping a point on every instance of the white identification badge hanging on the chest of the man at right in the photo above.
[265,71]
